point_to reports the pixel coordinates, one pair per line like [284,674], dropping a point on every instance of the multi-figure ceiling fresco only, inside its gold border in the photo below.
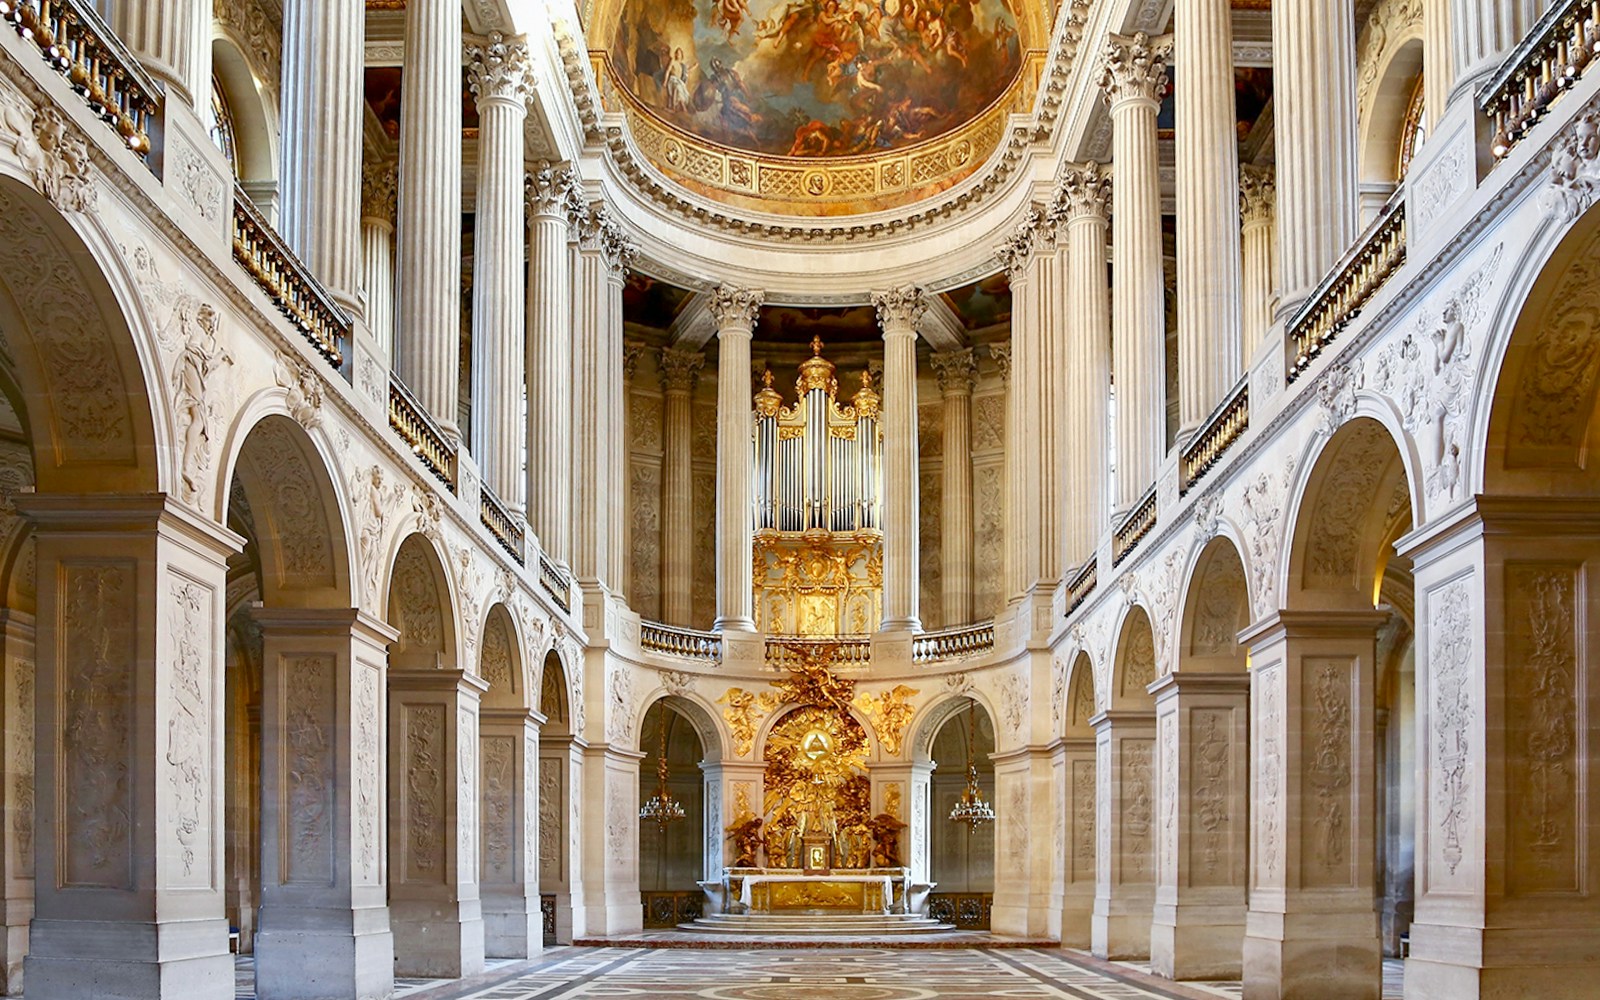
[817,78]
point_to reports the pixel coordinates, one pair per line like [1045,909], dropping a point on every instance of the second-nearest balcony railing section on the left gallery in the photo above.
[289,282]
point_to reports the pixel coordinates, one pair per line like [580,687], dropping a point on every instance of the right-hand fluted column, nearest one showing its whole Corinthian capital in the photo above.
[1135,78]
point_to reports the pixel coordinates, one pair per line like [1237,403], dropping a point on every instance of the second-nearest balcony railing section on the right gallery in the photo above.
[1342,297]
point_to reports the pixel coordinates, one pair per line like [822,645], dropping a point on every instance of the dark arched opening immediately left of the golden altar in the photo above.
[673,850]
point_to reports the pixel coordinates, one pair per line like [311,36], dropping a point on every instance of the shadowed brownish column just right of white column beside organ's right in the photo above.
[958,372]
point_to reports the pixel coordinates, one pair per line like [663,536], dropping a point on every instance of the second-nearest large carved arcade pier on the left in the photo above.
[324,919]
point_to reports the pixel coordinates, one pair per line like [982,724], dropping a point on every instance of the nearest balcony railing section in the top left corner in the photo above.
[79,46]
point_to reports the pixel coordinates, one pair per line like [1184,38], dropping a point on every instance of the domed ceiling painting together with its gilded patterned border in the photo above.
[817,106]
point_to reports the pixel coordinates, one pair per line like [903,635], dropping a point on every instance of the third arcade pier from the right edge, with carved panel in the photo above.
[1202,753]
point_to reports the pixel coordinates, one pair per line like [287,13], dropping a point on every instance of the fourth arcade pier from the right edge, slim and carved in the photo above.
[1126,834]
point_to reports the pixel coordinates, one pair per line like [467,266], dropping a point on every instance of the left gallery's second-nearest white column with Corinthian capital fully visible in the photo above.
[550,356]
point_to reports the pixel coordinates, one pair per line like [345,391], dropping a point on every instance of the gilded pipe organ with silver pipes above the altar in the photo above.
[818,484]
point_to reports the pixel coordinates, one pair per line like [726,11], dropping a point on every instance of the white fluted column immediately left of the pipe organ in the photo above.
[735,311]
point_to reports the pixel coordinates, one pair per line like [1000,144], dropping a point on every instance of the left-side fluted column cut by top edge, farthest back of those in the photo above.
[428,353]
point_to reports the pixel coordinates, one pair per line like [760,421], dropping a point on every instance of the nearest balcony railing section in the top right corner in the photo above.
[1537,74]
